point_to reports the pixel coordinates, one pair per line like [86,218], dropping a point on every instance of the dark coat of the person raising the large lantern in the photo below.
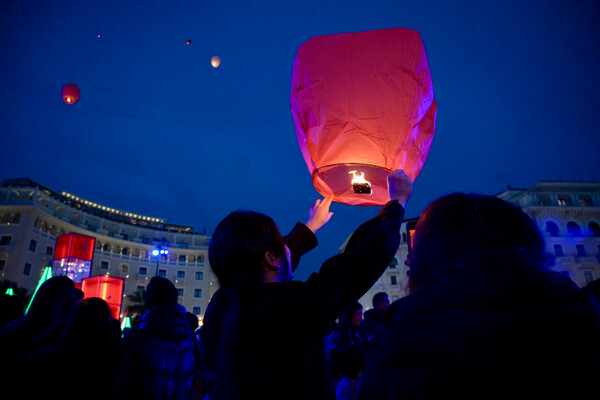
[268,339]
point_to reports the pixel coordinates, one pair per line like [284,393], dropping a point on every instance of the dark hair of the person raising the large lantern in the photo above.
[238,246]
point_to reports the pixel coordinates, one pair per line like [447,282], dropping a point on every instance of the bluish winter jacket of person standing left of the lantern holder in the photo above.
[158,357]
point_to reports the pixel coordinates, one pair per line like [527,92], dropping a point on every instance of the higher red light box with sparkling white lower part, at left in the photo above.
[73,256]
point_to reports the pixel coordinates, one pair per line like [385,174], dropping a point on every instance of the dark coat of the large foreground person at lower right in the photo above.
[512,333]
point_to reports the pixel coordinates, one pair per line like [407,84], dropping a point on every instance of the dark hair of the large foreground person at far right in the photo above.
[471,233]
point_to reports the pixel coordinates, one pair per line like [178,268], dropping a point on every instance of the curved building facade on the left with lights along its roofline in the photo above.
[32,217]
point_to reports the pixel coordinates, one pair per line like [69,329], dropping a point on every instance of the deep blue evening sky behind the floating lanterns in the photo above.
[159,132]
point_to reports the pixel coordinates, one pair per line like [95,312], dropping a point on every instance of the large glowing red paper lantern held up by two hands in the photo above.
[363,106]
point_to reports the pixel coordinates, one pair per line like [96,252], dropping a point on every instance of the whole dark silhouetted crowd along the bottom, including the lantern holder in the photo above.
[486,318]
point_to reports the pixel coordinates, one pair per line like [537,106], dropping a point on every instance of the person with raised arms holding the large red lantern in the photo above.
[257,342]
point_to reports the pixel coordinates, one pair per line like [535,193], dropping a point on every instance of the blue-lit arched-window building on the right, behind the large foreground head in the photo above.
[568,216]
